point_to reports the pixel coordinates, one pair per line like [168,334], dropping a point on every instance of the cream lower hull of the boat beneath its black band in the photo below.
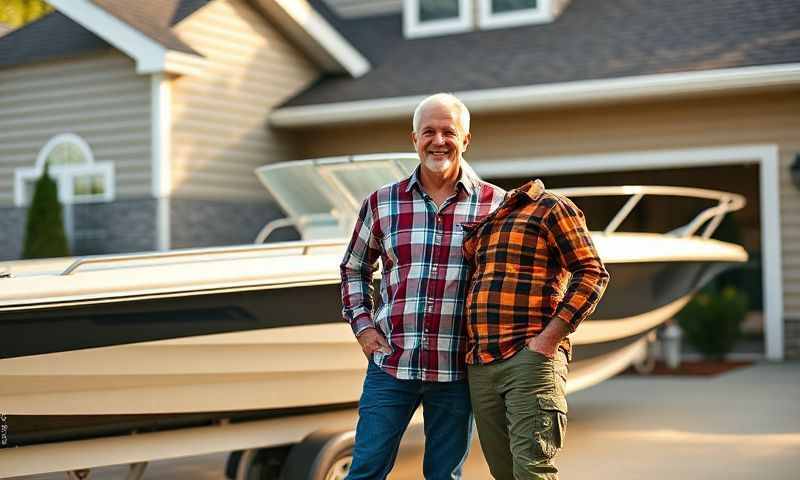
[271,369]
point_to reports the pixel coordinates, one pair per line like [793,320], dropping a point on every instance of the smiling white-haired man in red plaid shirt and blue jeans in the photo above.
[415,342]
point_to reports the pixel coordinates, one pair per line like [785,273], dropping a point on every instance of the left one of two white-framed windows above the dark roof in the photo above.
[423,18]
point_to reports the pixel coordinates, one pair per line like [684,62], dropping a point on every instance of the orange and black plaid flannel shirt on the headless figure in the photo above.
[533,260]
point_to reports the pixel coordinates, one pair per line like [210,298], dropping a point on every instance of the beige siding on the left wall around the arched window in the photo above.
[98,97]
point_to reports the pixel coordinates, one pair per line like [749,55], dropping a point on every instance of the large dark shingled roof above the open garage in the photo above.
[591,40]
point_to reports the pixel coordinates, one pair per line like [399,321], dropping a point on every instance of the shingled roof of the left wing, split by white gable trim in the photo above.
[56,35]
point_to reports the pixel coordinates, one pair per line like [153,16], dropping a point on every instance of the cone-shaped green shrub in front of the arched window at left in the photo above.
[44,231]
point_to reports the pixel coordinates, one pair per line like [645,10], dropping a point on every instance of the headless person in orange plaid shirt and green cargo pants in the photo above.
[536,276]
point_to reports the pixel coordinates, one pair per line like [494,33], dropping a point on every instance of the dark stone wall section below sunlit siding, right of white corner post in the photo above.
[207,223]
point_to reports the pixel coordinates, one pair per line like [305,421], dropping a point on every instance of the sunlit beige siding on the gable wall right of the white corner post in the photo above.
[219,117]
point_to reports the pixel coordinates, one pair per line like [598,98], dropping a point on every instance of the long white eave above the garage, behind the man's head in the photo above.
[533,97]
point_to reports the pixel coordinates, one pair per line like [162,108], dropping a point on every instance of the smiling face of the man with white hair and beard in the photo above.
[440,139]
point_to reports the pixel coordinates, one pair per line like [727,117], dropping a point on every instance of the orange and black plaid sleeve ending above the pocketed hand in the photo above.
[571,242]
